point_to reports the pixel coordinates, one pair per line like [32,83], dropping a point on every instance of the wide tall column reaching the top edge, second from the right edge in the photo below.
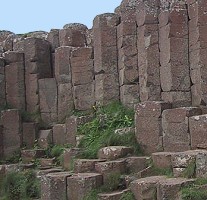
[173,42]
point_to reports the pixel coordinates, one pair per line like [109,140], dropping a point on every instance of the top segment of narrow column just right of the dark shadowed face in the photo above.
[62,64]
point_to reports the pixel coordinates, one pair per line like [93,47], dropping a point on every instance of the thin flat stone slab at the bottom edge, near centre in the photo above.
[116,195]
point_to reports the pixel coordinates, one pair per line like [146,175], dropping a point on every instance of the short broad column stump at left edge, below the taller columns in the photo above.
[11,134]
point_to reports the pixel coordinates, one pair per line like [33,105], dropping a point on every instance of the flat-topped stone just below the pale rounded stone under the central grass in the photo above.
[110,167]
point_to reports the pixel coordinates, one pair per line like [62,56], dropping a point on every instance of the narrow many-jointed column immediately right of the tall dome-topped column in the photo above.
[127,59]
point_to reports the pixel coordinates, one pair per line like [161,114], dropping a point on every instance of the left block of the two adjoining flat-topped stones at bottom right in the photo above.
[145,188]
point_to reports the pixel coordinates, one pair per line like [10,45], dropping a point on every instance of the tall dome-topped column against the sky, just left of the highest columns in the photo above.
[105,58]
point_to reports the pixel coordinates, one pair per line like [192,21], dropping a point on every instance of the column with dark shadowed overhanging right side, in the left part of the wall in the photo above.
[37,66]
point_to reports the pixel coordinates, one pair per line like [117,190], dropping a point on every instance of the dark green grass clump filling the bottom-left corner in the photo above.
[20,185]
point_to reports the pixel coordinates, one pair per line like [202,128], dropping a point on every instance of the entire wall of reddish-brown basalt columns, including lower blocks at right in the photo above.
[146,51]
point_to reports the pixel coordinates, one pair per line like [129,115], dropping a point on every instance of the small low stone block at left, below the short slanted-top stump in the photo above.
[29,156]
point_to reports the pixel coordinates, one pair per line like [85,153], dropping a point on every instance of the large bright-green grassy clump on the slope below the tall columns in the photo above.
[100,131]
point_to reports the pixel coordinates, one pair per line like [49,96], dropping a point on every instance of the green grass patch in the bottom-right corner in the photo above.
[196,191]
